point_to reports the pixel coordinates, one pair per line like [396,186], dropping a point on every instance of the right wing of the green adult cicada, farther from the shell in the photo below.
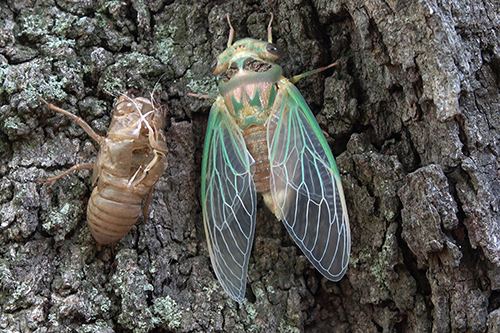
[305,184]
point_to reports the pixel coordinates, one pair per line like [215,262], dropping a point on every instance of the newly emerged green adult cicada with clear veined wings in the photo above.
[262,137]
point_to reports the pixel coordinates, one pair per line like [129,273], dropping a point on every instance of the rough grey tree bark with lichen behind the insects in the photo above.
[412,115]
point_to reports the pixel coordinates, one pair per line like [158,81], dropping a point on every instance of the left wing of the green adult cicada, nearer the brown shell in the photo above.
[229,200]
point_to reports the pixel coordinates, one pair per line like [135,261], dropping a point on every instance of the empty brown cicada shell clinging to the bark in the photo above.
[131,159]
